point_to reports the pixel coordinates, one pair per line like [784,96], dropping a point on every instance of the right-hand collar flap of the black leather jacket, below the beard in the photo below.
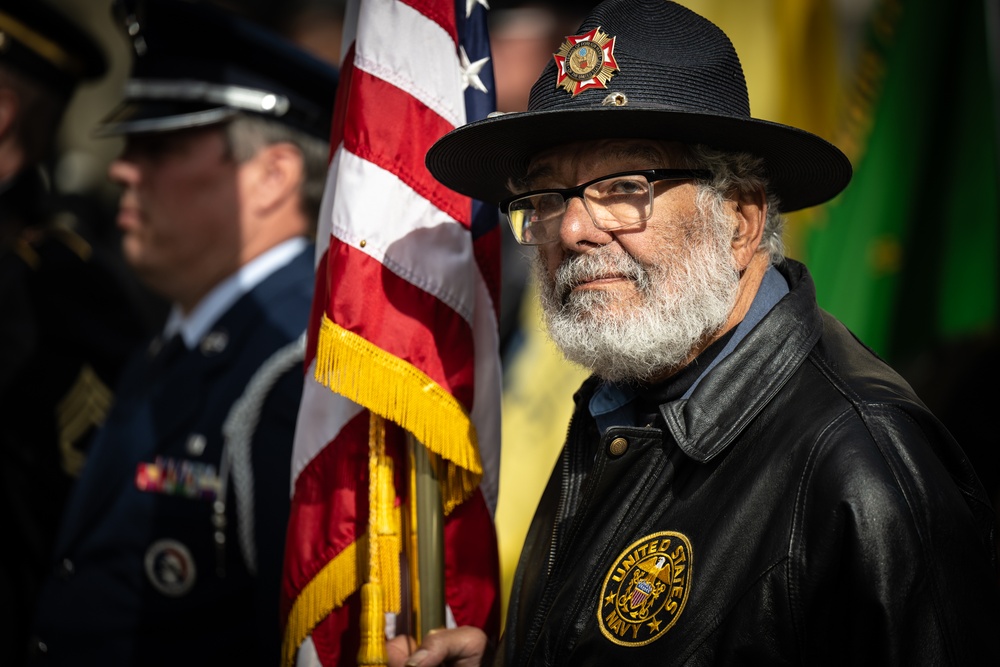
[727,398]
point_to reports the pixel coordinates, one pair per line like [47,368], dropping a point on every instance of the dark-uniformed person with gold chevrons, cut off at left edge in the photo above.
[67,319]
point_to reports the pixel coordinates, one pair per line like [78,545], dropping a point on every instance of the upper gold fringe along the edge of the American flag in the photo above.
[389,386]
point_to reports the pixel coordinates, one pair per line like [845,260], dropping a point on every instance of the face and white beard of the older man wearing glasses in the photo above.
[640,309]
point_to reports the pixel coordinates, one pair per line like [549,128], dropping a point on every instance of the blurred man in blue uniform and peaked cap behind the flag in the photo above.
[171,552]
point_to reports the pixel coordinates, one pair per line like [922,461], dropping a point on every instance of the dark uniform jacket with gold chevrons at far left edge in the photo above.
[67,326]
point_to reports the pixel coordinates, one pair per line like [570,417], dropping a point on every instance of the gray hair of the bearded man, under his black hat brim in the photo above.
[733,175]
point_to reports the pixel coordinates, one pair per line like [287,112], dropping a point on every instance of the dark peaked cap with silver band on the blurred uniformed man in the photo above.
[196,64]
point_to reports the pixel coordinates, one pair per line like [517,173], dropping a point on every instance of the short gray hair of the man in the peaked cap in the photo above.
[247,134]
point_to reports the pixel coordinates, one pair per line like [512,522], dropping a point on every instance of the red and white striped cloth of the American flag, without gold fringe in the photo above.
[396,265]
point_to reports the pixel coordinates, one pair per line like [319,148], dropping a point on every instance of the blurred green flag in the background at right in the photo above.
[907,255]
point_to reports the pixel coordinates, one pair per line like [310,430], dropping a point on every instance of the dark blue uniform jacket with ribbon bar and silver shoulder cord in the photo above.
[171,549]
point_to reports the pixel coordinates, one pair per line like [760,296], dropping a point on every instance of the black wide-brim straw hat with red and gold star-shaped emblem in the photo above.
[640,69]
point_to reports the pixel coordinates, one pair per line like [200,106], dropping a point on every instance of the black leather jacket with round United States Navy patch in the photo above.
[802,507]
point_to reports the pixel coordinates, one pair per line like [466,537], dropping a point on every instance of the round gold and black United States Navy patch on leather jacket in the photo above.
[645,591]
